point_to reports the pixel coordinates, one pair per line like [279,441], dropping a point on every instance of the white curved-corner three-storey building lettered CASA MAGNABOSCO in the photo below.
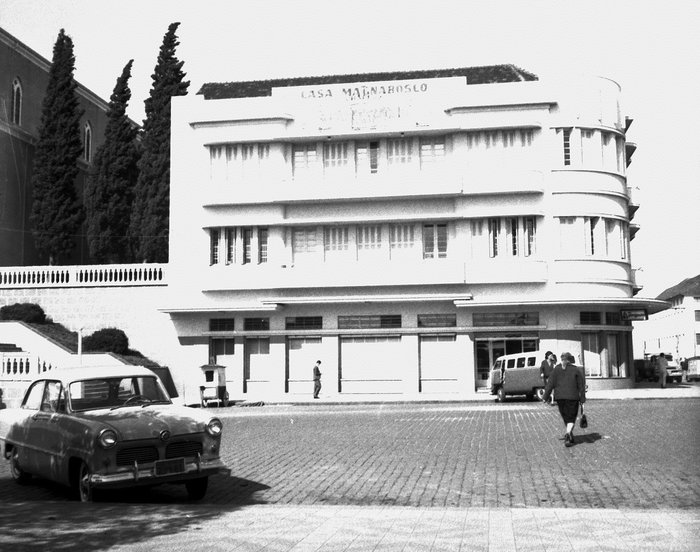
[404,228]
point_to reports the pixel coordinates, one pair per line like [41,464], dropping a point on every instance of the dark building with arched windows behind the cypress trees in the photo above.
[24,75]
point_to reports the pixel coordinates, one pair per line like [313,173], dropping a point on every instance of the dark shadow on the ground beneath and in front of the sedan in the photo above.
[40,516]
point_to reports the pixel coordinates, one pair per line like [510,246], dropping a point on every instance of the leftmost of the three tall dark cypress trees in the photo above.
[56,212]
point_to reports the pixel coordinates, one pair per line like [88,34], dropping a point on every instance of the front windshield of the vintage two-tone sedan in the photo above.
[115,392]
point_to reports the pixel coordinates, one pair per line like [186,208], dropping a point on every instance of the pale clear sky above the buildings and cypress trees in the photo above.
[651,48]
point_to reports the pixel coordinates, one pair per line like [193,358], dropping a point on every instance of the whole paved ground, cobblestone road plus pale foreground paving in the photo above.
[494,473]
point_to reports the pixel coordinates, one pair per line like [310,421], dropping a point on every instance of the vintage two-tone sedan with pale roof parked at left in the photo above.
[109,427]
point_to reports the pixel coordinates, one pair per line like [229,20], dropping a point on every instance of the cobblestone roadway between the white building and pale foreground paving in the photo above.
[635,454]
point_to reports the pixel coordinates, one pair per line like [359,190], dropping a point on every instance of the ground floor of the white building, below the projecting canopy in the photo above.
[411,354]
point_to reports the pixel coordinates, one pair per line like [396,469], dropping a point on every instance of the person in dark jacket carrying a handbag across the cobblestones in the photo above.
[568,383]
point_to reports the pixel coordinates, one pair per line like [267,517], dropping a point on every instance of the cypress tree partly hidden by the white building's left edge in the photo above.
[151,212]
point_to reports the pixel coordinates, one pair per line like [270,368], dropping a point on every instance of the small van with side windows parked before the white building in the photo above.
[518,374]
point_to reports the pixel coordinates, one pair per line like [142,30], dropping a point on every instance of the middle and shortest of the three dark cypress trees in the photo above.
[109,190]
